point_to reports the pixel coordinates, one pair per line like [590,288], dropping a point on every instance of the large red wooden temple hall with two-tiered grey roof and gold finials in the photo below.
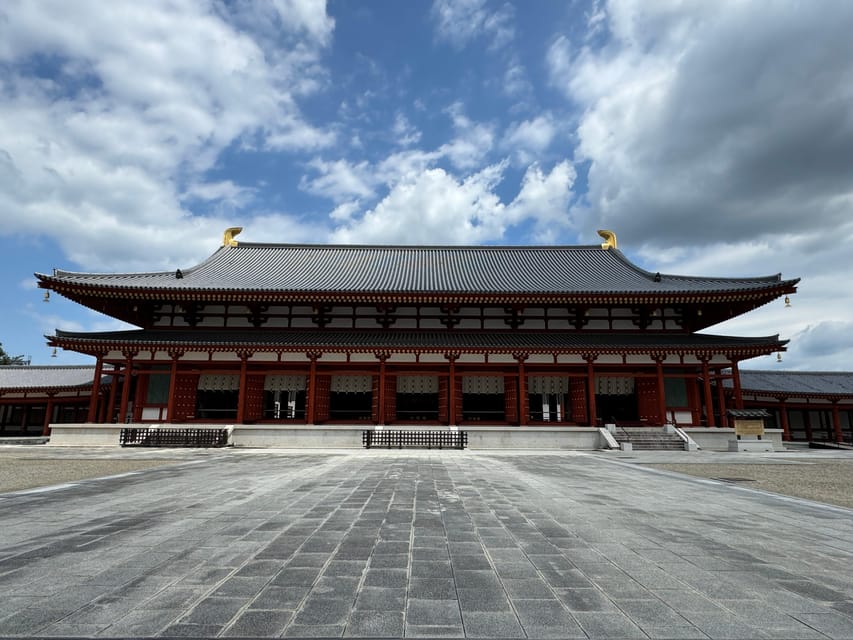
[394,335]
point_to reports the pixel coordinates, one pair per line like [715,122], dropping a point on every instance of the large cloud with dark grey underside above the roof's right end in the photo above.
[692,113]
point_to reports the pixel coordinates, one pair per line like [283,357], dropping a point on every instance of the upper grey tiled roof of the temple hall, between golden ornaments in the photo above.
[400,269]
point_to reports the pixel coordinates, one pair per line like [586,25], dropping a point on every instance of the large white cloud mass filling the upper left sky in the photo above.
[134,103]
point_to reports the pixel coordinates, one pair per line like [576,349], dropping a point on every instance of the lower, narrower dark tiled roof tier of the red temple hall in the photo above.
[437,340]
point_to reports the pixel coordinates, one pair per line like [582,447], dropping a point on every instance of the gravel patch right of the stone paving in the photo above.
[827,481]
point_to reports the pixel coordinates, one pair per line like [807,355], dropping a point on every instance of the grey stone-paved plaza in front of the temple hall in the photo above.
[420,544]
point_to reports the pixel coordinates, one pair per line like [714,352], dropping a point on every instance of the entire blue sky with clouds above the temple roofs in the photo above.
[715,138]
